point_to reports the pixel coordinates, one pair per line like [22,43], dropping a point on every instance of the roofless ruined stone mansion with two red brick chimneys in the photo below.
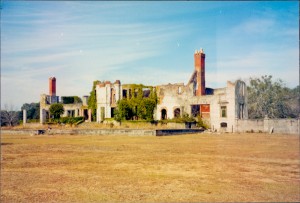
[220,107]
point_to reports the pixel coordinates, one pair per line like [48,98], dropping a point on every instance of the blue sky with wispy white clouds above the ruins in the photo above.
[152,43]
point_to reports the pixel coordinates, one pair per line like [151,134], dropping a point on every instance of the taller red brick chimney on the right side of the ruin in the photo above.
[199,58]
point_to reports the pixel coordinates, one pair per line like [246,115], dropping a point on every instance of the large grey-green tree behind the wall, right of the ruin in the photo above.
[268,98]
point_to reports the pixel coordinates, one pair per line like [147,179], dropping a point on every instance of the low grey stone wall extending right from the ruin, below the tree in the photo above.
[287,126]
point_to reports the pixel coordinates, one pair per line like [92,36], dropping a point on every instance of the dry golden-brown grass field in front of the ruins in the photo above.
[185,168]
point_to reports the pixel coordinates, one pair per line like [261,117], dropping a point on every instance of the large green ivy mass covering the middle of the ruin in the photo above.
[136,106]
